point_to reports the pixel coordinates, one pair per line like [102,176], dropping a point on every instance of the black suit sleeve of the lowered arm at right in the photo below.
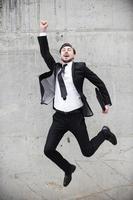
[93,78]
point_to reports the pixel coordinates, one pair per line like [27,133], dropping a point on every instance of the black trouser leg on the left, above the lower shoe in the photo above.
[56,132]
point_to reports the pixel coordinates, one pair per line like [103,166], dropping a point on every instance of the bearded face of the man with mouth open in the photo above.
[67,54]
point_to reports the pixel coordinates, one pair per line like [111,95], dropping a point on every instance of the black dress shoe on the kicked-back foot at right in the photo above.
[109,135]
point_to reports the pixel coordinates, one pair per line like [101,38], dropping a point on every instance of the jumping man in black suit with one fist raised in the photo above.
[70,104]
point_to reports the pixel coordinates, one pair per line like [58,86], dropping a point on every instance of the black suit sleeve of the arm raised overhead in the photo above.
[44,49]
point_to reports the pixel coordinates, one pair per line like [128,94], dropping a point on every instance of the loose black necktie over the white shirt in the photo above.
[61,82]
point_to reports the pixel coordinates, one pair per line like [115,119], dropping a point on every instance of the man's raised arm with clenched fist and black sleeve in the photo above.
[44,47]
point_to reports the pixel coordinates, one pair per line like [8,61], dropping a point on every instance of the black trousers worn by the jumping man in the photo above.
[74,122]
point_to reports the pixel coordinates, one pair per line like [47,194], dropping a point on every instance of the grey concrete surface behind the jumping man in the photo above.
[102,33]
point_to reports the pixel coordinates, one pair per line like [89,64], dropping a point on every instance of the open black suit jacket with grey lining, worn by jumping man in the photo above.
[79,72]
